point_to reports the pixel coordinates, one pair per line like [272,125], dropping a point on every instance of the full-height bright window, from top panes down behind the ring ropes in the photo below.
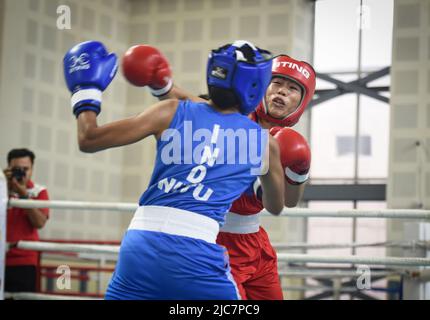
[333,122]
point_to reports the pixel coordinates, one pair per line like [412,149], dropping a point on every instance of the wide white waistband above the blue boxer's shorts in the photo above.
[175,221]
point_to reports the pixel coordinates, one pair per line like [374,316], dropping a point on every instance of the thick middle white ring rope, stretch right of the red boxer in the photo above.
[393,261]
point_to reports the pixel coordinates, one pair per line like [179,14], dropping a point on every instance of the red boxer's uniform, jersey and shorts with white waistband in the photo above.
[252,258]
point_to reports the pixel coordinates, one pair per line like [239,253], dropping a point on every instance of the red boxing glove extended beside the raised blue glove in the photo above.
[144,65]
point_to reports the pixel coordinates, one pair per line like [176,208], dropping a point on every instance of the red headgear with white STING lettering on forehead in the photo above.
[300,72]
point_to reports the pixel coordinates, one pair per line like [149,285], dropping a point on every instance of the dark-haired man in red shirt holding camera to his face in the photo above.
[22,224]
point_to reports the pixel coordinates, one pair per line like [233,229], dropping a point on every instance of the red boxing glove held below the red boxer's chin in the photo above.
[295,154]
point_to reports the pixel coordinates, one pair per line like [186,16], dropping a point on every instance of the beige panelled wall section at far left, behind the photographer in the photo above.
[35,108]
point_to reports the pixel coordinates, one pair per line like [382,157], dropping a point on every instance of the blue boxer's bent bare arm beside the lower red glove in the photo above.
[272,183]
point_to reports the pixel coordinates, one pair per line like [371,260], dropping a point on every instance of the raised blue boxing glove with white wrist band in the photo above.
[88,70]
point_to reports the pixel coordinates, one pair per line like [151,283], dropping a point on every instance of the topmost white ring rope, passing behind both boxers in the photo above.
[293,212]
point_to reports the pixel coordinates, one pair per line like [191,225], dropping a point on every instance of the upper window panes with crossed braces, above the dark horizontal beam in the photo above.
[336,53]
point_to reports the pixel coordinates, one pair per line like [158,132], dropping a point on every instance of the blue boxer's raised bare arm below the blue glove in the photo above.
[152,121]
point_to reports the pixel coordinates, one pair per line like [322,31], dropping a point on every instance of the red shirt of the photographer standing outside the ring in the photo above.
[19,227]
